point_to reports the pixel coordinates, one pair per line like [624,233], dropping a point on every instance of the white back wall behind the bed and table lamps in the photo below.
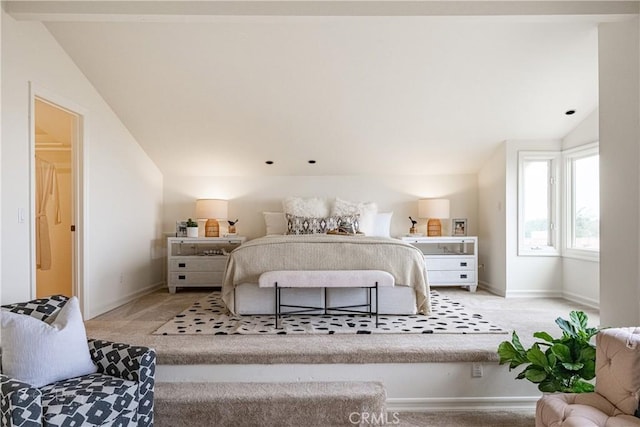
[250,196]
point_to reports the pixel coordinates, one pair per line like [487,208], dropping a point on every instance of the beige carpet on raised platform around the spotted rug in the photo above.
[136,321]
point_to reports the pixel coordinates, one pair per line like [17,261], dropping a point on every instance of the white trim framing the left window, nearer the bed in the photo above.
[554,200]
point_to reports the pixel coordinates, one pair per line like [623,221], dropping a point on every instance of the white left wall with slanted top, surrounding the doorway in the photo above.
[123,188]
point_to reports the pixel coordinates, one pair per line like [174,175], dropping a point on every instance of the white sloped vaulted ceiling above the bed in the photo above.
[360,95]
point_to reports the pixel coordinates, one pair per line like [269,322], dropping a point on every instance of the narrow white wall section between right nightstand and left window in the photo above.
[492,219]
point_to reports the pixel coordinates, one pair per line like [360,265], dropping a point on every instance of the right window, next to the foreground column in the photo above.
[582,187]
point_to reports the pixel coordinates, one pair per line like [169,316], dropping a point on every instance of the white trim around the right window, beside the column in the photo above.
[567,158]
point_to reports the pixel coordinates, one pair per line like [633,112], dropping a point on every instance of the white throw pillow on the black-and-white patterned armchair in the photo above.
[38,353]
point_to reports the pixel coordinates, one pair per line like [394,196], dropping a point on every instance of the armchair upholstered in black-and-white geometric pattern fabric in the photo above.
[120,393]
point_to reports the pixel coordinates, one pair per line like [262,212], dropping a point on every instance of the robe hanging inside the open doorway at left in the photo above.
[46,189]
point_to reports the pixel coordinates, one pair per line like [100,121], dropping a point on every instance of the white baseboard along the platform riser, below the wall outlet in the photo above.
[461,404]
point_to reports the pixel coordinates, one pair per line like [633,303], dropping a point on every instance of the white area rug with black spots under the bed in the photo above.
[208,317]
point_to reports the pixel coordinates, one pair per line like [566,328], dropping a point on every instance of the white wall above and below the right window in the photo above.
[581,278]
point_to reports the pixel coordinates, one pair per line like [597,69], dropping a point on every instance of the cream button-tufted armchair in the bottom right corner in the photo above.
[615,400]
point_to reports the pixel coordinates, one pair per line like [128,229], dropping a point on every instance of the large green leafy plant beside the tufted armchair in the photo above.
[564,364]
